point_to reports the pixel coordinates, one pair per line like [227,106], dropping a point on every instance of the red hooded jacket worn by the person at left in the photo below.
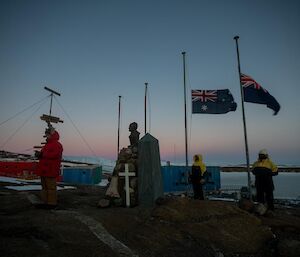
[51,155]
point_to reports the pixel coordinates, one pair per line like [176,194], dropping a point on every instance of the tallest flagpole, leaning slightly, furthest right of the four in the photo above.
[244,119]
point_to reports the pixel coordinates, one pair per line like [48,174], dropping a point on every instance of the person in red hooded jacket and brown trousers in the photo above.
[49,167]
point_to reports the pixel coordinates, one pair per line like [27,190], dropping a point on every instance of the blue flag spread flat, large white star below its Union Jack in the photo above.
[212,101]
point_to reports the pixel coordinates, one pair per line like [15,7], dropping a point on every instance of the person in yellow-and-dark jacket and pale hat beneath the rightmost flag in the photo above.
[264,169]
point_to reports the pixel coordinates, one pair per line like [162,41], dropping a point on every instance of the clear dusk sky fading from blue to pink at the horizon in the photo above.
[91,52]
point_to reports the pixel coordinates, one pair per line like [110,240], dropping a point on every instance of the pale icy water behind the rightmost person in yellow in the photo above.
[287,184]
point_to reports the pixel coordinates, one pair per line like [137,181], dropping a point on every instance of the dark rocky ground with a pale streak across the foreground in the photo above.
[177,226]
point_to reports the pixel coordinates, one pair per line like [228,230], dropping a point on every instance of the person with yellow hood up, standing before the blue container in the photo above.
[197,176]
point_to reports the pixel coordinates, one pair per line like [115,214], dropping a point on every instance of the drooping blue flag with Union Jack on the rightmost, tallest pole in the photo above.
[255,93]
